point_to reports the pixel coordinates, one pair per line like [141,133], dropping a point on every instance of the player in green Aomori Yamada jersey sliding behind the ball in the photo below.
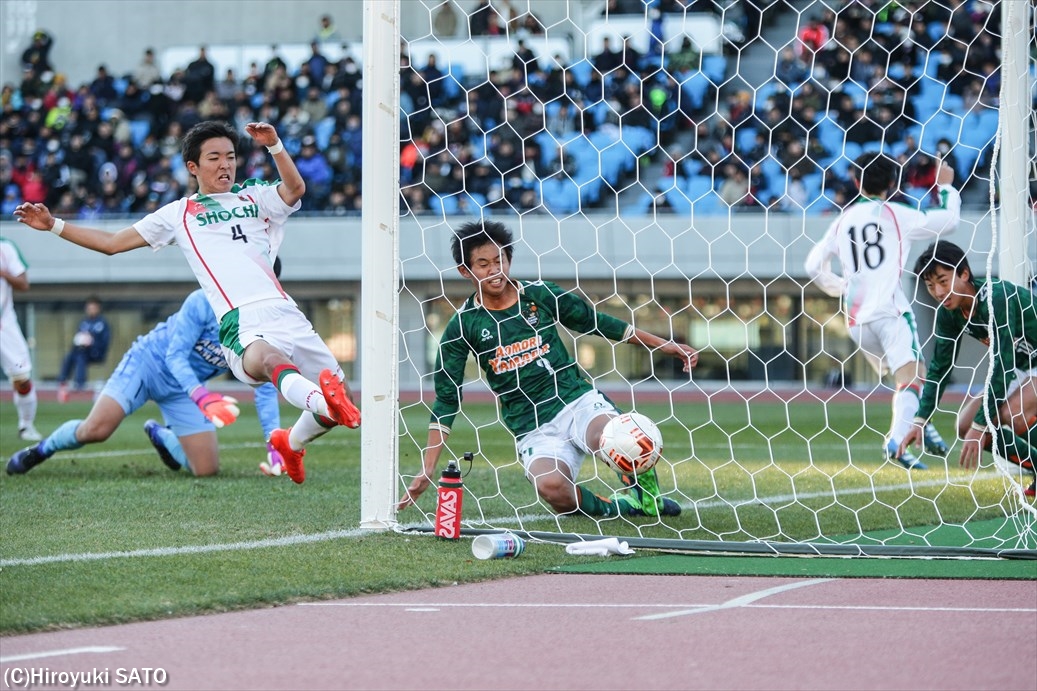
[556,417]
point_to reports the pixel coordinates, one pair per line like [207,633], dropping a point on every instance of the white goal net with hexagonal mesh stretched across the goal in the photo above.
[671,163]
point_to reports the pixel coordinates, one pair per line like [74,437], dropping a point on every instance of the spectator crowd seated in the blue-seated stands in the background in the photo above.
[111,147]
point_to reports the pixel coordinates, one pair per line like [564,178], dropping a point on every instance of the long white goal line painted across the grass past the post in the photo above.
[290,541]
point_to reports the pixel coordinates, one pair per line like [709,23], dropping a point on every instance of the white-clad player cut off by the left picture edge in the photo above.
[15,357]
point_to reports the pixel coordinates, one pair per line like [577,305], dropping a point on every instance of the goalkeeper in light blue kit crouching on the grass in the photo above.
[169,366]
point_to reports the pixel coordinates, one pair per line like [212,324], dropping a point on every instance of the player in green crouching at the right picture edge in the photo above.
[979,309]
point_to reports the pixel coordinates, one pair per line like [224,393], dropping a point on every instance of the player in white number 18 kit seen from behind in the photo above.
[872,240]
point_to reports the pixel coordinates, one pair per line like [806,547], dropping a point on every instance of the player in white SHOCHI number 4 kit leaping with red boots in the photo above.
[231,235]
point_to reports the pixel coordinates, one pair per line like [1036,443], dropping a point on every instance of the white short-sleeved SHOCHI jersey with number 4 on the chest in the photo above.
[230,240]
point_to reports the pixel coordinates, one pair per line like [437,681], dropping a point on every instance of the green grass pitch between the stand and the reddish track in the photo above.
[119,497]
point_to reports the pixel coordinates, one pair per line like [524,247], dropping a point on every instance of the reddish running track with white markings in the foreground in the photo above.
[582,632]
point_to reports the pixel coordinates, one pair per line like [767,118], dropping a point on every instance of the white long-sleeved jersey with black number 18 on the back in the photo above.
[873,239]
